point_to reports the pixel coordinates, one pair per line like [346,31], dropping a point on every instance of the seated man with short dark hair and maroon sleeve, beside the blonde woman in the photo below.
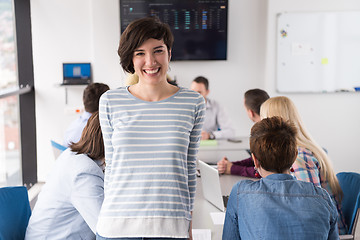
[253,99]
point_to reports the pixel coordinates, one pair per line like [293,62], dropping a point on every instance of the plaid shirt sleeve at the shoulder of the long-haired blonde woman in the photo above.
[306,168]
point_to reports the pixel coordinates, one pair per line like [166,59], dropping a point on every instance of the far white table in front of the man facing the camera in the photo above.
[233,151]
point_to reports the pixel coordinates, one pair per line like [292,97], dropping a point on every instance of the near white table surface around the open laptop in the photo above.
[202,208]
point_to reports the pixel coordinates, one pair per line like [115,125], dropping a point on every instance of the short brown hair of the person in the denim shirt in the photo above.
[273,142]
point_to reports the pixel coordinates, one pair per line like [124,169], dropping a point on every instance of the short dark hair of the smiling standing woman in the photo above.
[136,33]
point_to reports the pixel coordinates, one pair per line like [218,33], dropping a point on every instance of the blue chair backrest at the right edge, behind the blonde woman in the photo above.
[350,185]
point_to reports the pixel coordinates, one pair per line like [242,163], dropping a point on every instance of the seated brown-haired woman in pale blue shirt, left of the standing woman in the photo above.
[69,203]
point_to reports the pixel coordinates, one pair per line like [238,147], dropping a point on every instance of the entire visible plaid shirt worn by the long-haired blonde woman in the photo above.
[307,168]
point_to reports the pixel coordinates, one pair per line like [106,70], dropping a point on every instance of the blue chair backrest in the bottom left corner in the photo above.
[14,212]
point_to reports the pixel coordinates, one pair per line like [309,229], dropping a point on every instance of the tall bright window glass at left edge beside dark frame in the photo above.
[10,149]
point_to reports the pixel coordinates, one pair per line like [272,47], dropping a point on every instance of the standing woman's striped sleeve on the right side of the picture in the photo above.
[194,143]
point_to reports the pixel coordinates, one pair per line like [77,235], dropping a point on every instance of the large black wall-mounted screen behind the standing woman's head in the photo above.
[199,26]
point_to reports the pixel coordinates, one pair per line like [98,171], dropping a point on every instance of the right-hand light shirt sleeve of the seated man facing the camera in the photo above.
[224,124]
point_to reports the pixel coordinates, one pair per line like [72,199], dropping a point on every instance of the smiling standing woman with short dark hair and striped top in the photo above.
[151,133]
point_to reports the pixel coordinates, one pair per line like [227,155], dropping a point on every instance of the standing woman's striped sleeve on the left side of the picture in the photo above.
[107,132]
